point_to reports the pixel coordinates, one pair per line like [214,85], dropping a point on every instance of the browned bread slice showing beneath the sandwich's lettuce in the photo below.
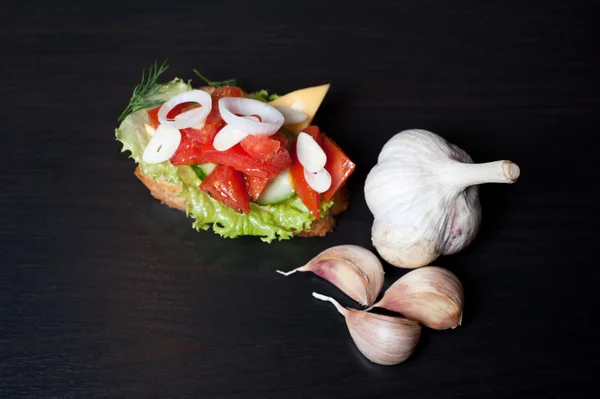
[167,193]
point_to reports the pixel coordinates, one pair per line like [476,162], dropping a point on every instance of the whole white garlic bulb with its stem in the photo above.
[423,196]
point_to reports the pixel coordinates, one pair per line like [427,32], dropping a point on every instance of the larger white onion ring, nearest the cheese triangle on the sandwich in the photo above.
[231,107]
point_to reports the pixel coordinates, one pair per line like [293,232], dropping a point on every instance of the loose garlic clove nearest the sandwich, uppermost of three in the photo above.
[353,269]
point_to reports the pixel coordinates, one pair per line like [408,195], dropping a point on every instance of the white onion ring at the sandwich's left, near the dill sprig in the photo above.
[192,118]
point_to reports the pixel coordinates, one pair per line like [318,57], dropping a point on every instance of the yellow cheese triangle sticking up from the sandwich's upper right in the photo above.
[306,100]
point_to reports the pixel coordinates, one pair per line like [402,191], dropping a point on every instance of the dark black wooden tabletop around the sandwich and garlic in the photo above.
[106,293]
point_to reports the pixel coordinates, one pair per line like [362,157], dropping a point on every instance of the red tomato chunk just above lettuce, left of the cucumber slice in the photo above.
[227,186]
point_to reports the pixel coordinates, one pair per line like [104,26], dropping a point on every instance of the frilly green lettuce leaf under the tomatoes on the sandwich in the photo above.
[271,222]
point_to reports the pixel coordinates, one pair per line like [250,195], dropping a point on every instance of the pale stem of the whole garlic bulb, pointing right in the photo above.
[462,175]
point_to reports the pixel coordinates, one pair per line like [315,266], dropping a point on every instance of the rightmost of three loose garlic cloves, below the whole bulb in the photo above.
[430,295]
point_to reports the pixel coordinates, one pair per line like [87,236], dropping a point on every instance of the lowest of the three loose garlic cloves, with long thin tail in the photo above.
[384,340]
